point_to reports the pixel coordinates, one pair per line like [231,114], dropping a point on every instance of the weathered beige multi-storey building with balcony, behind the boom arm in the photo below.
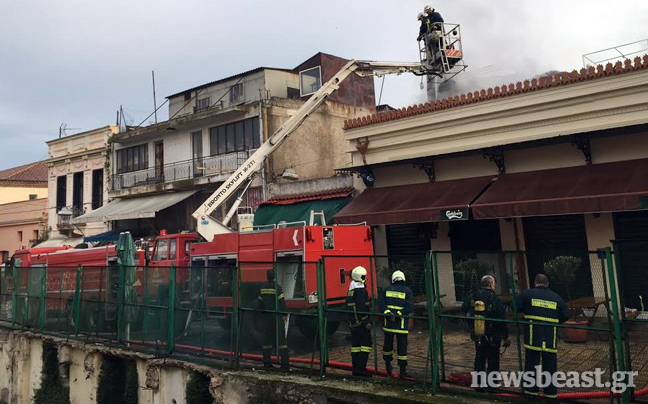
[168,169]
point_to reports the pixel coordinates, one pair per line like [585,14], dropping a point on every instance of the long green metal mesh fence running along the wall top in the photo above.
[215,312]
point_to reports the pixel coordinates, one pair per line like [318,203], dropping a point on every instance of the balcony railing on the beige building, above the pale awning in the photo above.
[221,165]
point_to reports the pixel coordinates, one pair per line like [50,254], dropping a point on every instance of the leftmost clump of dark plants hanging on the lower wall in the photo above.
[51,390]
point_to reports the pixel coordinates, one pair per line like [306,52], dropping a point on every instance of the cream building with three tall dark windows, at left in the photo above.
[78,173]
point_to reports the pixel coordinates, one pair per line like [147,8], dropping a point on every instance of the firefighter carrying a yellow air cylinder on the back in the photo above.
[488,335]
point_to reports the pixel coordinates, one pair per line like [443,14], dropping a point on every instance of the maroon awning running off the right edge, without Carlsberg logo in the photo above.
[607,187]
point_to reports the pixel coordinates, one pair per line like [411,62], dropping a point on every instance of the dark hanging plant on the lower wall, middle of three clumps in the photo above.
[117,382]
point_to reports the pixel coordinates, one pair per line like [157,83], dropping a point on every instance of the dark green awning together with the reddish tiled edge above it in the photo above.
[296,208]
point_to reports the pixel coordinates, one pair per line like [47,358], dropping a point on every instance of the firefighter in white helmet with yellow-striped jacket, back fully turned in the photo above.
[396,303]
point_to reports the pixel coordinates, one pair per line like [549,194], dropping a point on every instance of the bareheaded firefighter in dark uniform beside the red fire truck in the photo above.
[271,297]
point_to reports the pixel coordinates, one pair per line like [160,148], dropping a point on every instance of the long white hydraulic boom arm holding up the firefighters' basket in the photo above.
[208,227]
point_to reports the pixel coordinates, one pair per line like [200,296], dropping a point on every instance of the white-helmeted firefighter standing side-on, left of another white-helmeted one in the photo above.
[359,306]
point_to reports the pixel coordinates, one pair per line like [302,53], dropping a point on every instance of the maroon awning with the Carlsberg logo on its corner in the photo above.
[442,200]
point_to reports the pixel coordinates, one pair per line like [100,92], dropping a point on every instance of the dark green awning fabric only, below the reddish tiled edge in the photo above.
[299,211]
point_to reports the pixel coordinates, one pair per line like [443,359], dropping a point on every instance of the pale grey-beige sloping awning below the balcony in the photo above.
[133,208]
